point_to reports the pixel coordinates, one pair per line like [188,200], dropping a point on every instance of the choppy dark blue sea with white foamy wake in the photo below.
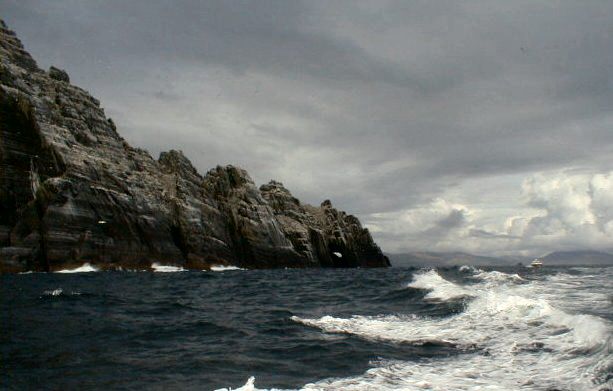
[462,328]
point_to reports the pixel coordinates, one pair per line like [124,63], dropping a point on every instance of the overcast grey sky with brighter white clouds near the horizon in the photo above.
[479,126]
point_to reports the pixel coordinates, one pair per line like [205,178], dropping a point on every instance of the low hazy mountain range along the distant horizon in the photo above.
[428,258]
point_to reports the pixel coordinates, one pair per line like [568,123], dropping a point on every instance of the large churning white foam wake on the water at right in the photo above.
[523,340]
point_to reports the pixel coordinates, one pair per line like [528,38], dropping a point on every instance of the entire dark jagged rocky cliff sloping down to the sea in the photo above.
[73,191]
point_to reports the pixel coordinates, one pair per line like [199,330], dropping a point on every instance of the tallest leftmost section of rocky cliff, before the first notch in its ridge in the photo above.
[89,196]
